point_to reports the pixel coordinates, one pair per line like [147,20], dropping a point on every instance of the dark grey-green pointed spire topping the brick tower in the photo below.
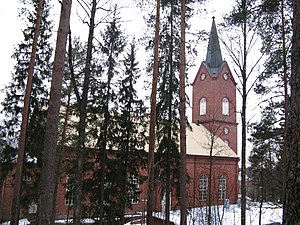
[213,56]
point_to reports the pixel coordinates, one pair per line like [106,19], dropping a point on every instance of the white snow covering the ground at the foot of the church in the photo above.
[231,215]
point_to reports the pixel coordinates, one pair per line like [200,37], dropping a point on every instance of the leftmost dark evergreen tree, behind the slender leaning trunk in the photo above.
[13,105]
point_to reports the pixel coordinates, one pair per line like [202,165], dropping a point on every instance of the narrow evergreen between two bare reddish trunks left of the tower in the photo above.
[168,101]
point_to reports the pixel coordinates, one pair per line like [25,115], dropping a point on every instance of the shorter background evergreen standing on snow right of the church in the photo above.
[265,158]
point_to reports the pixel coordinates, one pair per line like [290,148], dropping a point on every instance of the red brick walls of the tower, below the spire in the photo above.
[215,89]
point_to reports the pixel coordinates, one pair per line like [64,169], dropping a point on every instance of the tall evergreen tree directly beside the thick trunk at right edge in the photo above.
[275,32]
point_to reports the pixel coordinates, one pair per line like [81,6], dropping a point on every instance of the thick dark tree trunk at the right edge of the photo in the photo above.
[292,202]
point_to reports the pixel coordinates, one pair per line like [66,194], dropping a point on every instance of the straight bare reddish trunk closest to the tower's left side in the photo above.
[183,175]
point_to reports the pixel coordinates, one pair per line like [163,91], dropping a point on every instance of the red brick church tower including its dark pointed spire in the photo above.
[214,94]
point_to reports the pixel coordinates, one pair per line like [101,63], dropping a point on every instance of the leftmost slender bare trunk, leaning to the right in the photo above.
[15,209]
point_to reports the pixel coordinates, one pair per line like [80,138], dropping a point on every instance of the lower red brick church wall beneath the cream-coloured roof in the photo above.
[196,165]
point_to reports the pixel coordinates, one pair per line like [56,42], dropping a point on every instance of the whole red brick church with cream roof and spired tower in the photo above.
[211,144]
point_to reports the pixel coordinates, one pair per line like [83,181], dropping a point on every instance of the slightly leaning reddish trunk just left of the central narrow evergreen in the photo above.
[150,197]
